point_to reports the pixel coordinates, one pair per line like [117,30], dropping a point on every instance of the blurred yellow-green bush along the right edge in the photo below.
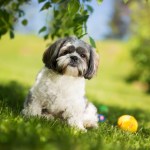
[140,27]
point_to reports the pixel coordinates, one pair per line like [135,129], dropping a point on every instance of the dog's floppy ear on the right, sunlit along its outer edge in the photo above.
[93,64]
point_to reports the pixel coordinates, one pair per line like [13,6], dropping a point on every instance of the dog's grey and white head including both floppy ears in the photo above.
[73,57]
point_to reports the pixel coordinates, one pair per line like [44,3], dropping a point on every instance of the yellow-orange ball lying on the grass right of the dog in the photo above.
[128,123]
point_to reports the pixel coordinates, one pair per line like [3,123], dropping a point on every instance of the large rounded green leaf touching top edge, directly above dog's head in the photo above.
[73,6]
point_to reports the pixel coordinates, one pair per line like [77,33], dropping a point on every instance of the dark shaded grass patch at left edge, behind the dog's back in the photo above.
[12,95]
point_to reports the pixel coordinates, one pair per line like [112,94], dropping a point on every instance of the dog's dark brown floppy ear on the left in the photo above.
[50,55]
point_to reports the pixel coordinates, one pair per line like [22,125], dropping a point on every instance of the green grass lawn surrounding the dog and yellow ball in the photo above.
[20,61]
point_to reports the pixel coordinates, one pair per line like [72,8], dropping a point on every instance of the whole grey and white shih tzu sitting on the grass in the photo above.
[59,90]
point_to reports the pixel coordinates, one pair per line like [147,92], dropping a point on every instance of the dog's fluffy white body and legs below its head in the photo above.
[60,95]
